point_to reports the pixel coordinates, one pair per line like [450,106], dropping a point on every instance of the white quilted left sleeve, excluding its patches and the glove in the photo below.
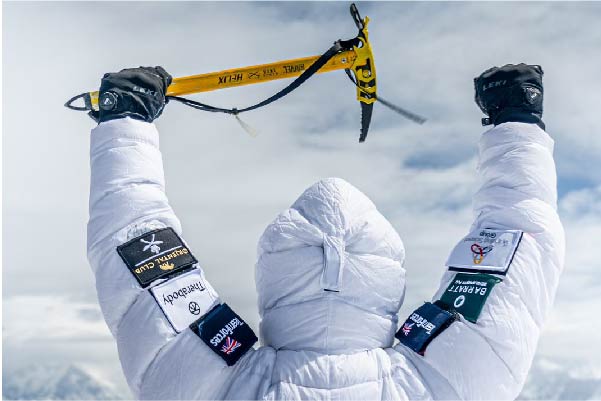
[127,199]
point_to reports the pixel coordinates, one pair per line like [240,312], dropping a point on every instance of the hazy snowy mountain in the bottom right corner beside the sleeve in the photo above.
[554,380]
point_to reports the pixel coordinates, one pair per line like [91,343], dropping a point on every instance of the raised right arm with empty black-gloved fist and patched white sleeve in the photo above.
[502,276]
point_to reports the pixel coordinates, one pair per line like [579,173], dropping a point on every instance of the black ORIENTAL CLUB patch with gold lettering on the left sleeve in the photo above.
[156,254]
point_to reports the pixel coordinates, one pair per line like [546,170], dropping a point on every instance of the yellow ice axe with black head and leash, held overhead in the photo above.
[354,55]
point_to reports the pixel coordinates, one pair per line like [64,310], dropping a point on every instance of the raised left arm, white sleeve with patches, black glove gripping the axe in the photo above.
[150,286]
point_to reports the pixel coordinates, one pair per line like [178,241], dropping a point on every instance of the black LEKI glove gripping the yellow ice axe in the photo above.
[134,92]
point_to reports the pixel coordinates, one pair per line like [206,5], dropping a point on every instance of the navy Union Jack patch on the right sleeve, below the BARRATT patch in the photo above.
[423,325]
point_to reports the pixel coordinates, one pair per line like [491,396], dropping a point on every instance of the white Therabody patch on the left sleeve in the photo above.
[185,298]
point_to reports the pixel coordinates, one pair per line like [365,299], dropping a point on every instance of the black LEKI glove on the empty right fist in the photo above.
[513,92]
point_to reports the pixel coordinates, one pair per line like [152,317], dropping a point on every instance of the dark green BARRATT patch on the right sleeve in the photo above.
[467,293]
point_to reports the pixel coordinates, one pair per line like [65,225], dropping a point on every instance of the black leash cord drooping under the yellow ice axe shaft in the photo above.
[320,62]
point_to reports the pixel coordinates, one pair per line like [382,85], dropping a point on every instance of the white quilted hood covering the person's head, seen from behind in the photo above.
[330,274]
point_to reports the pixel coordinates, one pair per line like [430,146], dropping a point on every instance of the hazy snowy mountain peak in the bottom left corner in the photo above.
[54,382]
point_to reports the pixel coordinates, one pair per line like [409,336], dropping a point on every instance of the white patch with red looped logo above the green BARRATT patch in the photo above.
[485,251]
